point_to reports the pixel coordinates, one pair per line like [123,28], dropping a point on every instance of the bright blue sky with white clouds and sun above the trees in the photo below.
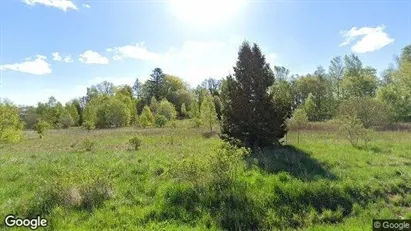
[60,47]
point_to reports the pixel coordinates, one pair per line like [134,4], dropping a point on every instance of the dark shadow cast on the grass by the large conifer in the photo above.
[291,160]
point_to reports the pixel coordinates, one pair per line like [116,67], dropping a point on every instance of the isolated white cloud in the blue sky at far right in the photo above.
[368,38]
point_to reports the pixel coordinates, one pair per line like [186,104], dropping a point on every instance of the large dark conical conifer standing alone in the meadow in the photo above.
[250,114]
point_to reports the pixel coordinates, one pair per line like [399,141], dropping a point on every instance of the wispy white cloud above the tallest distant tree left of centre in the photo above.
[137,51]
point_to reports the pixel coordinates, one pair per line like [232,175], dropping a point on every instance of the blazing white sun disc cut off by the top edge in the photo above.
[205,12]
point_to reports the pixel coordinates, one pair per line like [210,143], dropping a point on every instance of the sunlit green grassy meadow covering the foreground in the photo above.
[180,179]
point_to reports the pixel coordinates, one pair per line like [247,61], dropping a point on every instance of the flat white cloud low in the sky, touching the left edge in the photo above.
[37,66]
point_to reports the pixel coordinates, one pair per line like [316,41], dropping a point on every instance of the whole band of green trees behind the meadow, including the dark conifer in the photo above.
[251,105]
